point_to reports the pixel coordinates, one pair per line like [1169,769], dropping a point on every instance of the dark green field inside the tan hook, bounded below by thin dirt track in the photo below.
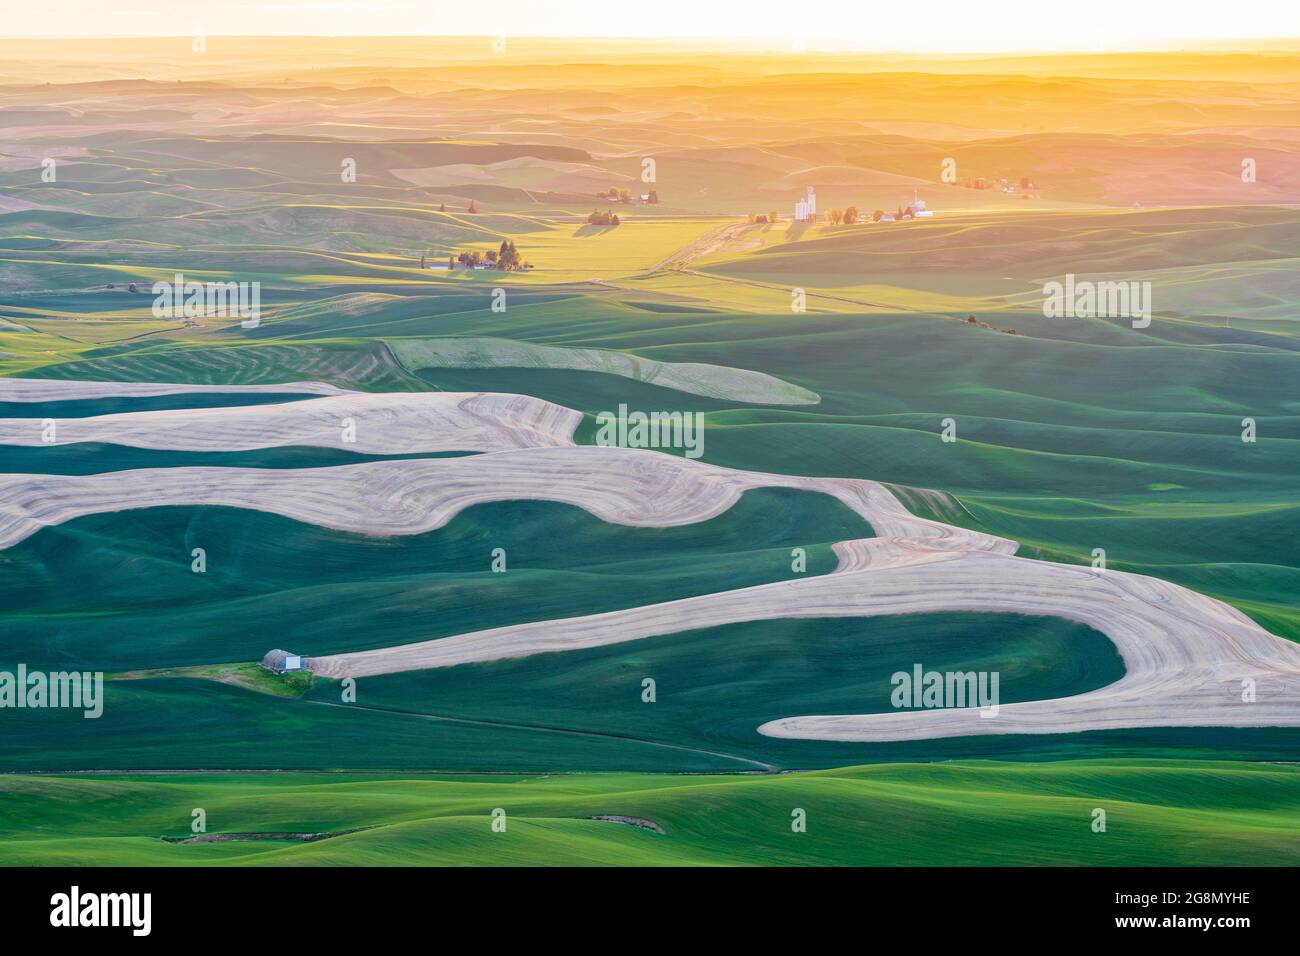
[716,686]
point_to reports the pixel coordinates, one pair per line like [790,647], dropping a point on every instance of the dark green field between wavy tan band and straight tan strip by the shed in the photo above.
[272,582]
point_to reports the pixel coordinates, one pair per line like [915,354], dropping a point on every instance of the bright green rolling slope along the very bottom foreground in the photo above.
[1158,814]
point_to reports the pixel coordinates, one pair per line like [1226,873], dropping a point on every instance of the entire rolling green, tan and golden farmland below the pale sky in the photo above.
[400,470]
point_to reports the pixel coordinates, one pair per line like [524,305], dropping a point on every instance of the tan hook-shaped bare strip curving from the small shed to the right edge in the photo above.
[1186,656]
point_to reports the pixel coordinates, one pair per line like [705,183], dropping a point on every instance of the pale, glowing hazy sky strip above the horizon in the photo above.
[907,25]
